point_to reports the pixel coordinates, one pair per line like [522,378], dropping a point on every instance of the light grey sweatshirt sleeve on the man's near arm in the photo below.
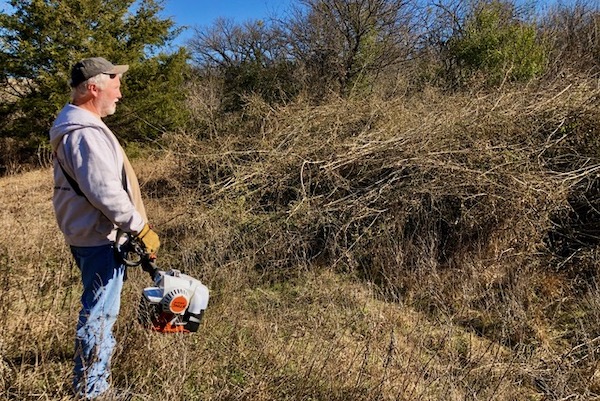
[98,169]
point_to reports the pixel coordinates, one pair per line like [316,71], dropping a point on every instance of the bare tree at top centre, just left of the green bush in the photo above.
[338,42]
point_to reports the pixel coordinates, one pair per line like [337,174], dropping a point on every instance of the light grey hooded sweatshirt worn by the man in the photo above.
[91,154]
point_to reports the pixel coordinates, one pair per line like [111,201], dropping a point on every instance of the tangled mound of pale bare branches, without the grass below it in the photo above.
[413,185]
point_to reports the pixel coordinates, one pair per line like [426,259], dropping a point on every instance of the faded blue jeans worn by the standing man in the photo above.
[102,277]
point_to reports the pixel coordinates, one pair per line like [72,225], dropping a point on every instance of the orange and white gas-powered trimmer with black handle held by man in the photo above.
[176,302]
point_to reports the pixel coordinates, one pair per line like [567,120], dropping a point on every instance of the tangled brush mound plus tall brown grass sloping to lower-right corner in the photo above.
[478,208]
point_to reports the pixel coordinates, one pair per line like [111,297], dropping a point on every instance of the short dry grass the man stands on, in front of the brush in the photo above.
[319,336]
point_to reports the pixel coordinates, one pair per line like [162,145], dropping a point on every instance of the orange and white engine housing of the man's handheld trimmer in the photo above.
[175,304]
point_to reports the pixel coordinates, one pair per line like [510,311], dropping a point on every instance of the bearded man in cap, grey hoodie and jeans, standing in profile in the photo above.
[95,193]
